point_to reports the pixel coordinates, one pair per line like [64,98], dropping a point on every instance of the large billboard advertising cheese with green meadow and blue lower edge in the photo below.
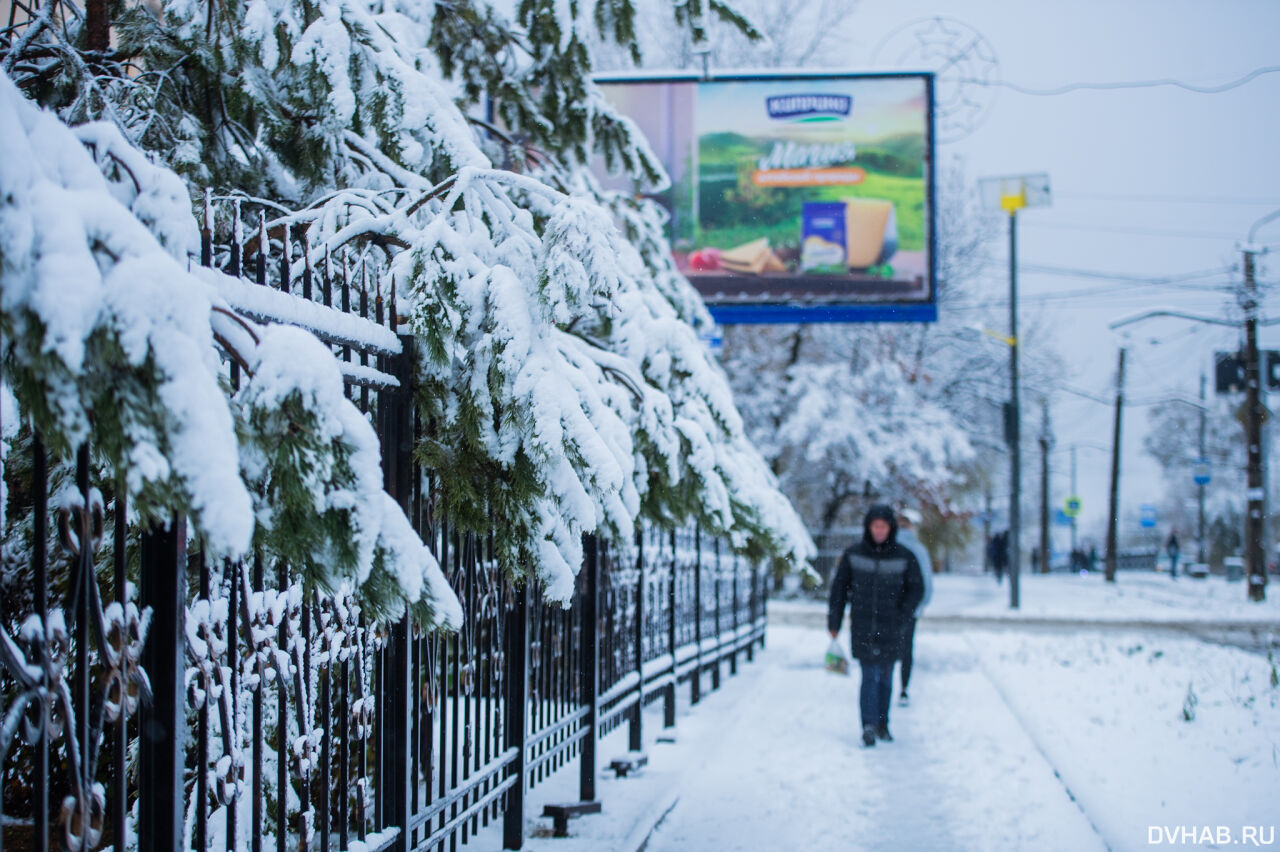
[796,198]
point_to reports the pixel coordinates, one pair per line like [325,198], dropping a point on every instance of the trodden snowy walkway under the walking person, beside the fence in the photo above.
[788,771]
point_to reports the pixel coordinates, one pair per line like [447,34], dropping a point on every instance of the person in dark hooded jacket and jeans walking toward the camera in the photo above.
[880,583]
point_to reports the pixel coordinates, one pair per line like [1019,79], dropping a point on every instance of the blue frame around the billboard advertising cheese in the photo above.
[813,310]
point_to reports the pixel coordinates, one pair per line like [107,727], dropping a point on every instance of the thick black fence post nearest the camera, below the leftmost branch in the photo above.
[163,587]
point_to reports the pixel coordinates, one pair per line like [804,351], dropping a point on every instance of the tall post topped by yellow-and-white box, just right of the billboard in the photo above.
[1011,195]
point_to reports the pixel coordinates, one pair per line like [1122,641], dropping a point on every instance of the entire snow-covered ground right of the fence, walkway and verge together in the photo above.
[1016,739]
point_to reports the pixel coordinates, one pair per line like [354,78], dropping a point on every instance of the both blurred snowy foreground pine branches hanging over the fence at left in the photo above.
[113,338]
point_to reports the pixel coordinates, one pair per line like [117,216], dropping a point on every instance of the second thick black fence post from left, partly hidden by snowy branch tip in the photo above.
[396,699]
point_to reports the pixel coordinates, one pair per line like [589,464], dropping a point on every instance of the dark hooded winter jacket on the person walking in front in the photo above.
[883,585]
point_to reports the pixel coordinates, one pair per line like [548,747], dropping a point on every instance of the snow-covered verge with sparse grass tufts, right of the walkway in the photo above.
[1148,732]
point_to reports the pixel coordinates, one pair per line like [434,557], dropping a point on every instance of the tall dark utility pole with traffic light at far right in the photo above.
[1255,549]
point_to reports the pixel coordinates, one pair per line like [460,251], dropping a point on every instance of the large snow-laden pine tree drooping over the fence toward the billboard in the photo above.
[563,379]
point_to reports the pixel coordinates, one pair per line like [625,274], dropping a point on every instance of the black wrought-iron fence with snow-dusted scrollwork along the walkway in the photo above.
[157,699]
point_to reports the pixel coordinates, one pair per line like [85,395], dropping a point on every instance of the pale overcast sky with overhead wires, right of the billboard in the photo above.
[1148,182]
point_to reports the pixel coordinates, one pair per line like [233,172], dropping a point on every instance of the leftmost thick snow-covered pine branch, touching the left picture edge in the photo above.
[100,337]
